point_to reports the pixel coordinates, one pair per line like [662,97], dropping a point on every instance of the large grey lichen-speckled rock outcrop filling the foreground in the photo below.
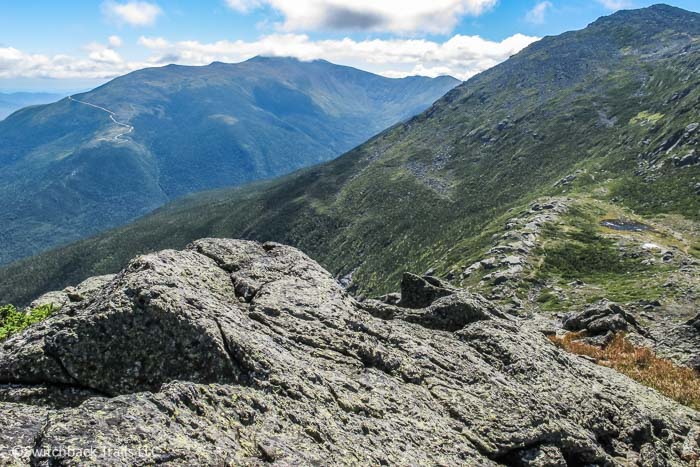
[233,352]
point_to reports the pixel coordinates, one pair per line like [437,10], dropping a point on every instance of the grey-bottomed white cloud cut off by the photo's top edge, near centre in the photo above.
[405,16]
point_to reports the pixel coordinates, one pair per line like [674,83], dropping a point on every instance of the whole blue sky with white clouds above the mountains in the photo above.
[72,45]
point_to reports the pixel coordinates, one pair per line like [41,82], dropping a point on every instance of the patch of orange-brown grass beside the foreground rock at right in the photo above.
[639,363]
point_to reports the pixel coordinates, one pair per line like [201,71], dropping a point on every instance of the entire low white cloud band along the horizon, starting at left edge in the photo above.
[460,56]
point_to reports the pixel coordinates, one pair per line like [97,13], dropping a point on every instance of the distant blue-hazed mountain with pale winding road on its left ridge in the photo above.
[98,159]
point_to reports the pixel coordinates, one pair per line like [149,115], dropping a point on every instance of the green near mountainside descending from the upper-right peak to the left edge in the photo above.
[429,192]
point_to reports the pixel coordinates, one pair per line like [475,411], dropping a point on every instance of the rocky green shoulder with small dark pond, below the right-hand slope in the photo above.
[593,267]
